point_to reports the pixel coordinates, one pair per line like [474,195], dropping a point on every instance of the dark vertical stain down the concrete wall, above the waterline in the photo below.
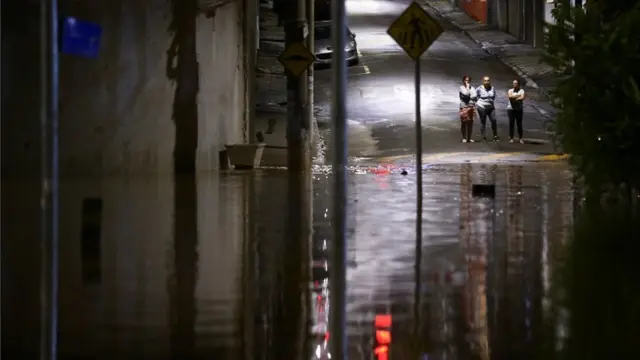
[182,68]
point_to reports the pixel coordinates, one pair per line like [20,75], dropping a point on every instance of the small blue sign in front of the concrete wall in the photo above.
[81,38]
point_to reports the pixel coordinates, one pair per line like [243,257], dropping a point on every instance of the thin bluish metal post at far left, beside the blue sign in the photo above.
[49,166]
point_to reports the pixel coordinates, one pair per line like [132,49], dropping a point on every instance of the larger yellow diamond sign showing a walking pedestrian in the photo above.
[414,30]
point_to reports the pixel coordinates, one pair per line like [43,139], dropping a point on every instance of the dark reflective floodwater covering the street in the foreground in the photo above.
[191,268]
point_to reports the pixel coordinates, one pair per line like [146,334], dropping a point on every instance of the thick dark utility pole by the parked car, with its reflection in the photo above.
[296,261]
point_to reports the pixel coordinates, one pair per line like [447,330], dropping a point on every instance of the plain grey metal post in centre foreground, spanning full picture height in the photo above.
[338,343]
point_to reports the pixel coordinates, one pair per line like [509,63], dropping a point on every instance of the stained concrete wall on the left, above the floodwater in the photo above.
[168,78]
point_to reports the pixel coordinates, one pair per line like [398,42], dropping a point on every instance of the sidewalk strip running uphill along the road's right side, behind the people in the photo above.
[522,58]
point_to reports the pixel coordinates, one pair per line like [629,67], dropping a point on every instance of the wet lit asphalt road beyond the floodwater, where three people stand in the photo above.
[381,90]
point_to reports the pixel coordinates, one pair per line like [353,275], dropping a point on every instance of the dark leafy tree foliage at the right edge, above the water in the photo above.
[598,104]
